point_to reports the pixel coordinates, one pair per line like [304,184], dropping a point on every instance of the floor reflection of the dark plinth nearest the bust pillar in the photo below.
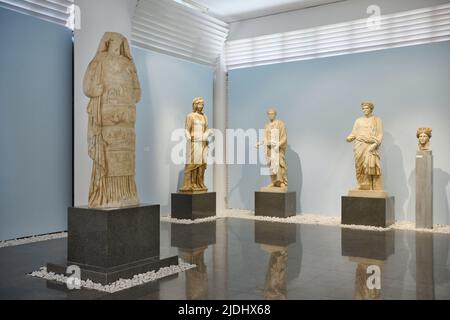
[376,245]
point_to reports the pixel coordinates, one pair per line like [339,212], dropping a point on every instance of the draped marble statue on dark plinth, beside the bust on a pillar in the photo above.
[367,135]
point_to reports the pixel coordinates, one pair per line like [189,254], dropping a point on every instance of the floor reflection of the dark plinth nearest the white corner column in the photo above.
[192,236]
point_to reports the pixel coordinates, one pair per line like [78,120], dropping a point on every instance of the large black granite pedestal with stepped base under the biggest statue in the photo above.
[109,245]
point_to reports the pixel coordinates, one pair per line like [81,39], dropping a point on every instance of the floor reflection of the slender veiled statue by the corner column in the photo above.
[196,278]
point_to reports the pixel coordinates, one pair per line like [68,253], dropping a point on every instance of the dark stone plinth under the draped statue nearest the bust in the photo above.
[376,212]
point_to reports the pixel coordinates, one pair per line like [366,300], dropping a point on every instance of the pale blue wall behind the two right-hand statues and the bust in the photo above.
[319,101]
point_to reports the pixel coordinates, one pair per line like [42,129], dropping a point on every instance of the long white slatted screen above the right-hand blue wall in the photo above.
[395,30]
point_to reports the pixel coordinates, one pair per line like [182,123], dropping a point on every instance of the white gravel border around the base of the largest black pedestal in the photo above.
[121,284]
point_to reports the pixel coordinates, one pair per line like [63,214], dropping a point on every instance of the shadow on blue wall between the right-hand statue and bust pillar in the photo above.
[394,174]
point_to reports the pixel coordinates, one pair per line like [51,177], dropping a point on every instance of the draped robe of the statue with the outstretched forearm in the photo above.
[276,142]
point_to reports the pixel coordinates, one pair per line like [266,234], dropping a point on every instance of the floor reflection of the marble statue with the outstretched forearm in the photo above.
[275,287]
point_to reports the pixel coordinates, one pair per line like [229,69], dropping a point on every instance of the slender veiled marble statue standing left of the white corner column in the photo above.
[197,135]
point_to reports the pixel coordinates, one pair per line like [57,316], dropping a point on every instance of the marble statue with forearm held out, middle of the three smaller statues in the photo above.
[275,141]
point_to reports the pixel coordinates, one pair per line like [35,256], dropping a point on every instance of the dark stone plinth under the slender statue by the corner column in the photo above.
[193,206]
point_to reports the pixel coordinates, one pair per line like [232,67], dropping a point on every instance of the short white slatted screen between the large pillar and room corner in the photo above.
[169,27]
